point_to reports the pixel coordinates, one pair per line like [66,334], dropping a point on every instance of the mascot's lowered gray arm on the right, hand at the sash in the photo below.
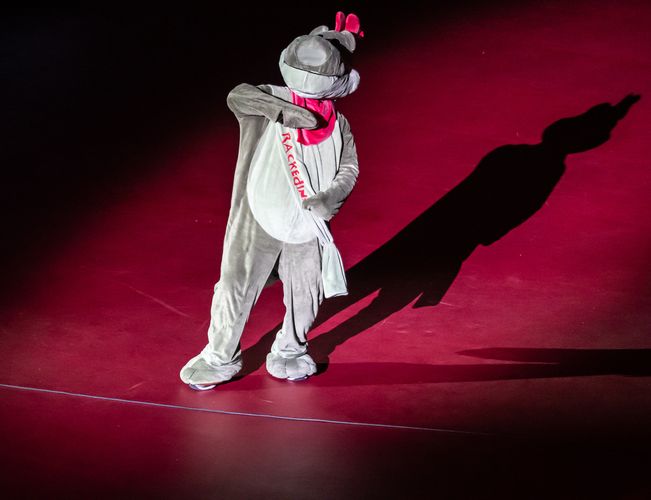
[326,204]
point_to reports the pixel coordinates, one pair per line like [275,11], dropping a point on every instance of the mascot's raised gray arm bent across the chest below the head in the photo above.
[248,100]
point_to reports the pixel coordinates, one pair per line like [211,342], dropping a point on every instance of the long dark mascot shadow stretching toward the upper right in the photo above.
[509,185]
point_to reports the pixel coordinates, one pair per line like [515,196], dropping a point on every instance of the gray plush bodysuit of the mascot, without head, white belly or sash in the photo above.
[249,253]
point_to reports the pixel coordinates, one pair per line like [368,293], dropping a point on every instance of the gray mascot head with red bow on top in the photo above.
[318,66]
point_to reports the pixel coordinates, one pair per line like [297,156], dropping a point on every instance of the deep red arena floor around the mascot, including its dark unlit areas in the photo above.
[496,342]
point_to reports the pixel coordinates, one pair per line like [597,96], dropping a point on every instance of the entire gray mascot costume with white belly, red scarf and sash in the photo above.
[297,164]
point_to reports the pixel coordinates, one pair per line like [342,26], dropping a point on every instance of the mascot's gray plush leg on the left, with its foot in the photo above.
[248,259]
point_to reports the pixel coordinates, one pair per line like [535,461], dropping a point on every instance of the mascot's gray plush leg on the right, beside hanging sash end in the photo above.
[300,271]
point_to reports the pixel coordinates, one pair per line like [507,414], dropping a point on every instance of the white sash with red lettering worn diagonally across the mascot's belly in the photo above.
[332,267]
